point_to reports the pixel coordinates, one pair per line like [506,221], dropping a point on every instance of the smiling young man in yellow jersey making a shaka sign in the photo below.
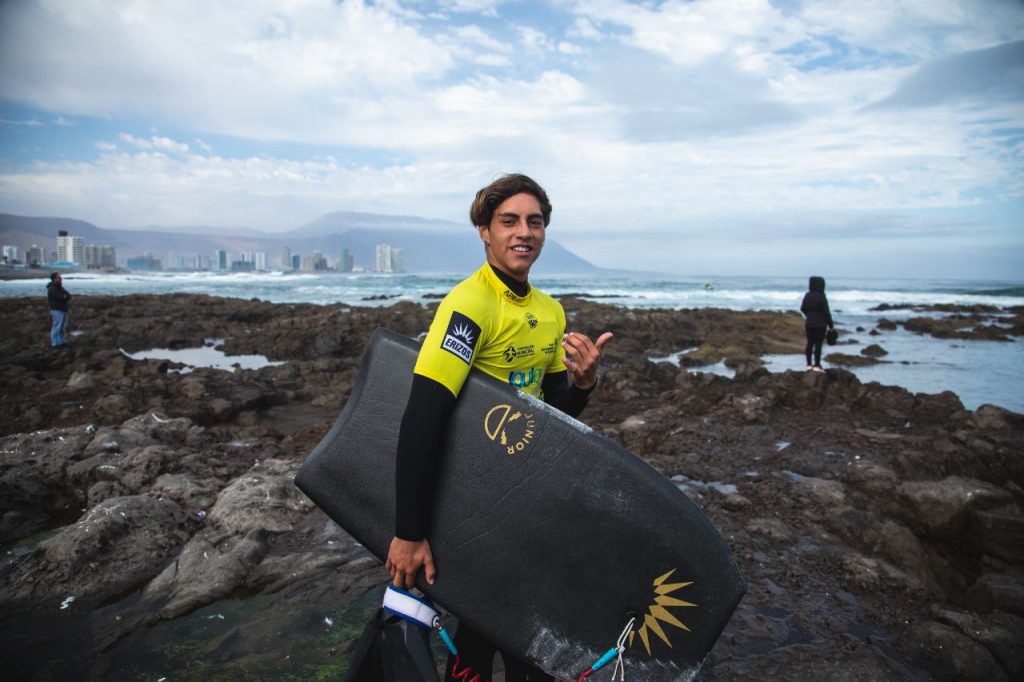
[498,323]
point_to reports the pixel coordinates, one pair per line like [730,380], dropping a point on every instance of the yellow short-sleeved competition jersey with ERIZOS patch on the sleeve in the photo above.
[483,324]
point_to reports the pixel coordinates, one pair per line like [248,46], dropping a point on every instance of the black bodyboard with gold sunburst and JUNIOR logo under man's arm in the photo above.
[548,537]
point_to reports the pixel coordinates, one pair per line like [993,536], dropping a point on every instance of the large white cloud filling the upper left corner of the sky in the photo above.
[255,69]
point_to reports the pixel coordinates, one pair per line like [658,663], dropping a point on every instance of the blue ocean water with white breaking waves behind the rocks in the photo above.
[980,372]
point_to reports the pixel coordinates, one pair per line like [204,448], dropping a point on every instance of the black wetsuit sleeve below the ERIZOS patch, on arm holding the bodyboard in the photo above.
[428,413]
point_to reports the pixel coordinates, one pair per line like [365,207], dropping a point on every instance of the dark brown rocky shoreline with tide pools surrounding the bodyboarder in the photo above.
[152,530]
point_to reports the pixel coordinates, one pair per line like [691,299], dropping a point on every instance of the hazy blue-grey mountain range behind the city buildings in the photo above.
[431,246]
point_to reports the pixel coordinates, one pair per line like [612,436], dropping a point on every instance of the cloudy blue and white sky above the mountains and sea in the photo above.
[847,138]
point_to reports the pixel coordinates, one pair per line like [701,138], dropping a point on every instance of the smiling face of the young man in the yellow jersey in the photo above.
[516,236]
